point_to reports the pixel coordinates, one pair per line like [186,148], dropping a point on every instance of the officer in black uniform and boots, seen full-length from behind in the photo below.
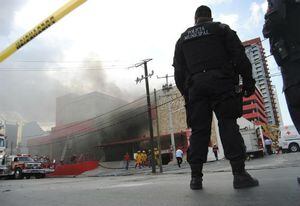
[209,57]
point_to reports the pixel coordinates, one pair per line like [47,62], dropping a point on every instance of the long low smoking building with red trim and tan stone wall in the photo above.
[108,137]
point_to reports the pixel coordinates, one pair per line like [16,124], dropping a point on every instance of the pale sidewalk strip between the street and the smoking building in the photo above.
[268,162]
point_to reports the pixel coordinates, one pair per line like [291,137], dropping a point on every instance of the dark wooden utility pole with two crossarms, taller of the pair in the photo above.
[144,63]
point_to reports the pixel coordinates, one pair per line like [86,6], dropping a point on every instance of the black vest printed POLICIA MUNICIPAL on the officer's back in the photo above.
[203,47]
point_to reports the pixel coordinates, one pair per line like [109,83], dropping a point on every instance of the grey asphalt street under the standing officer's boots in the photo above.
[278,186]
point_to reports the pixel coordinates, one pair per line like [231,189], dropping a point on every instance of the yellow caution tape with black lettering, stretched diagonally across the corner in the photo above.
[45,24]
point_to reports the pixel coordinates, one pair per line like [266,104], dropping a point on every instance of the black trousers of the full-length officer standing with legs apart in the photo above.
[213,91]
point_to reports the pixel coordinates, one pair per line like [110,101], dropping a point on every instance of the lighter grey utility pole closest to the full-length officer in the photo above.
[166,88]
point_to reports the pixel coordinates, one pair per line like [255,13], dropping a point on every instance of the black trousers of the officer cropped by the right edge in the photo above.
[292,95]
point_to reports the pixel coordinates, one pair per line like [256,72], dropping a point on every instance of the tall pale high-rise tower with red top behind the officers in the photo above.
[261,74]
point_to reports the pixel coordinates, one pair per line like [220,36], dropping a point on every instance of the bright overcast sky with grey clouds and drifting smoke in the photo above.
[116,32]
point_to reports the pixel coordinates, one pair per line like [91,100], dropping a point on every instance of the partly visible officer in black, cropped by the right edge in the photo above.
[282,27]
